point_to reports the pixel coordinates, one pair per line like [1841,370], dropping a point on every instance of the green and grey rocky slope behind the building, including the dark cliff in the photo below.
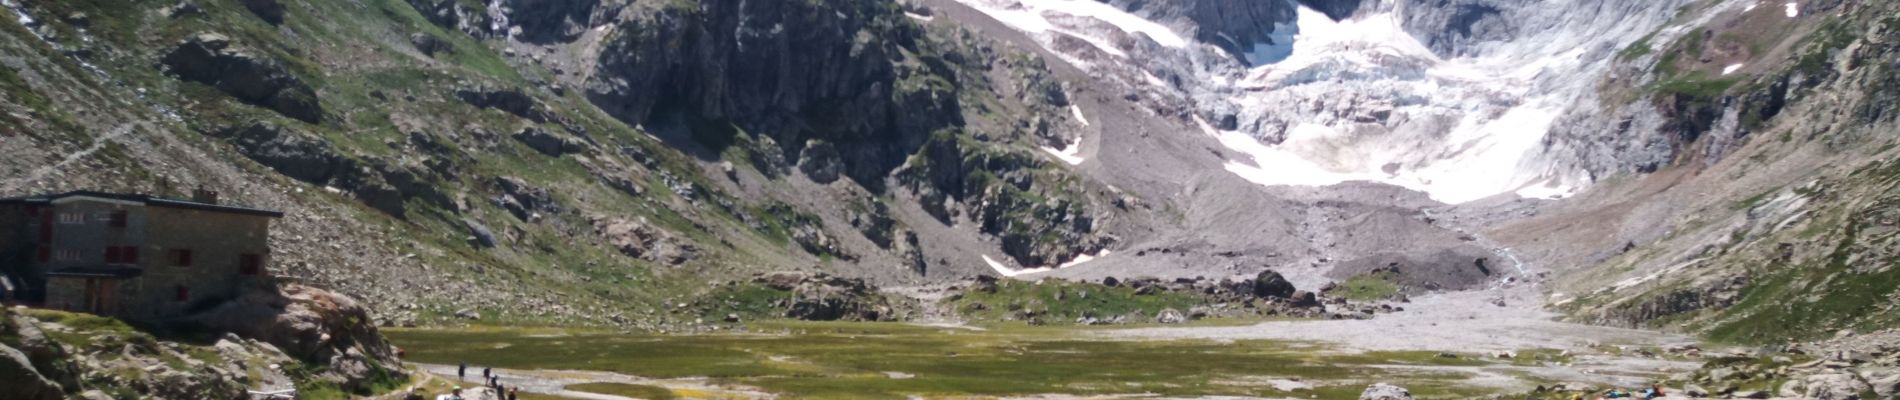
[560,162]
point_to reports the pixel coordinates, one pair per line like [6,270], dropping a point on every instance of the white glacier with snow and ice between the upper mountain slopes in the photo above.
[1325,101]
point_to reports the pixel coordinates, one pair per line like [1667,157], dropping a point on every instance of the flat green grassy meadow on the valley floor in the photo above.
[900,361]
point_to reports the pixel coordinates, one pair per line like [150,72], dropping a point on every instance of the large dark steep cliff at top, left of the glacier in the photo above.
[850,73]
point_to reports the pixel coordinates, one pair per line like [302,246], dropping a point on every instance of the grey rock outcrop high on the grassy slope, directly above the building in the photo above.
[212,60]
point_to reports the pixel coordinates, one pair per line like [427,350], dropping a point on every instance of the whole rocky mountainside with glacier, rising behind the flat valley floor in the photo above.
[594,162]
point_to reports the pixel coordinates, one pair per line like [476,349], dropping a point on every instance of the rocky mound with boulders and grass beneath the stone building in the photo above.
[299,338]
